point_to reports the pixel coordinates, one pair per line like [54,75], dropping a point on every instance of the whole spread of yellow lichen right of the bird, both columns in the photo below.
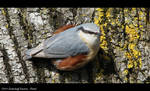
[132,27]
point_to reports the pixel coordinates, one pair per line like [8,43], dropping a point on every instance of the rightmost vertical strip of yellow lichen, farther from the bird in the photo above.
[132,31]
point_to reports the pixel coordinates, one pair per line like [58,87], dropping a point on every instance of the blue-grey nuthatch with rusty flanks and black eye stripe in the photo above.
[70,47]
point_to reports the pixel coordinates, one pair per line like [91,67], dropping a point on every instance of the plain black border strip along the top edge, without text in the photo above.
[74,3]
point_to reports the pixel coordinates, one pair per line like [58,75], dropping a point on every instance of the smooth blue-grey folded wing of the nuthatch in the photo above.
[65,44]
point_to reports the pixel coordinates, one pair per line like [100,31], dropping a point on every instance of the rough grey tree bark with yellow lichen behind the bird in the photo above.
[124,55]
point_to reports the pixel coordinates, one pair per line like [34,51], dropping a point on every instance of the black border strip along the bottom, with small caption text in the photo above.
[47,87]
